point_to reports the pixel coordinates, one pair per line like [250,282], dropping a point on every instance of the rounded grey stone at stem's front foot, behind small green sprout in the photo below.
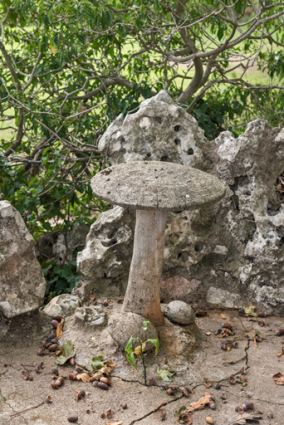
[122,326]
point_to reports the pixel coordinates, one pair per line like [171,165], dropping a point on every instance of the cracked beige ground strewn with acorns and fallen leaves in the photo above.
[146,404]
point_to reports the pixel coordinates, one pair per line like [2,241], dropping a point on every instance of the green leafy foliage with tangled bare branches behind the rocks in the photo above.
[69,68]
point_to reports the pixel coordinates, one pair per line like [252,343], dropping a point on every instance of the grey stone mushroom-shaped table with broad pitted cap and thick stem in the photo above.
[153,188]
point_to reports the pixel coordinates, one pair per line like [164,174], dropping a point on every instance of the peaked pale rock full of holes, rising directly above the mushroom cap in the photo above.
[159,131]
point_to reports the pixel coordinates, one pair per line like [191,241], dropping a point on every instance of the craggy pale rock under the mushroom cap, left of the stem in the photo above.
[105,261]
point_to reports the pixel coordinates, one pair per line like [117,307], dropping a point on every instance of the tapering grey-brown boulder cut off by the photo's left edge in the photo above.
[22,284]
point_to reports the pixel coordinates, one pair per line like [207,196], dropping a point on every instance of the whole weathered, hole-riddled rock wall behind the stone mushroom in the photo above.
[228,255]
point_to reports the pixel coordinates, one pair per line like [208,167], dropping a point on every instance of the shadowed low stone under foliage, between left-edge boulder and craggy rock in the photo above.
[59,247]
